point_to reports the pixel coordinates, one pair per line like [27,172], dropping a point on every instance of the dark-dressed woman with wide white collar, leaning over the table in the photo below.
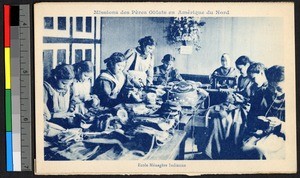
[110,82]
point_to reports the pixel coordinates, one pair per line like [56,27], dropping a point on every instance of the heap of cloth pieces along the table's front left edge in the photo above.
[73,144]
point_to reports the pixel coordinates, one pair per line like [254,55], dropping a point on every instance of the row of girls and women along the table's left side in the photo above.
[69,90]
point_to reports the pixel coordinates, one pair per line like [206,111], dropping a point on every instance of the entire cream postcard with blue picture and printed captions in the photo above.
[165,88]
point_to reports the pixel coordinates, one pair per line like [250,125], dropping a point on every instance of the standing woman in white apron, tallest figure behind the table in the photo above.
[140,61]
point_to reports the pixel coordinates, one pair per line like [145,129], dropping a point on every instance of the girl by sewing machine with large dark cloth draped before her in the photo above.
[230,118]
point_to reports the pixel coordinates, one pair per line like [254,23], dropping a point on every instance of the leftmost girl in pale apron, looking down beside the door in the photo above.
[57,96]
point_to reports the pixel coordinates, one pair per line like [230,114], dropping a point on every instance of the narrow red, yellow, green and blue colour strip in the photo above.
[8,110]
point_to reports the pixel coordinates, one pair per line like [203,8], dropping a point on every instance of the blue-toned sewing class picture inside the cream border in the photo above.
[163,88]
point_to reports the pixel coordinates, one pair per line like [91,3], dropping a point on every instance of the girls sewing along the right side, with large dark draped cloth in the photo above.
[250,124]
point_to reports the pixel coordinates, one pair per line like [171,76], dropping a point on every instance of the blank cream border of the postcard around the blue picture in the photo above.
[284,10]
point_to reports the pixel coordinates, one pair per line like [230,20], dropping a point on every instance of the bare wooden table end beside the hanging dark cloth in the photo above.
[173,149]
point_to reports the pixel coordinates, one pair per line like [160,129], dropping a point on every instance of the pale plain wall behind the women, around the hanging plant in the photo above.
[259,38]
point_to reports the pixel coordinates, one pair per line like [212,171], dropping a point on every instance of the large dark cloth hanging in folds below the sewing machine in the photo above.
[226,130]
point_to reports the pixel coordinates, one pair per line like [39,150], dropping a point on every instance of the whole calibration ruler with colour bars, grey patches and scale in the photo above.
[18,87]
